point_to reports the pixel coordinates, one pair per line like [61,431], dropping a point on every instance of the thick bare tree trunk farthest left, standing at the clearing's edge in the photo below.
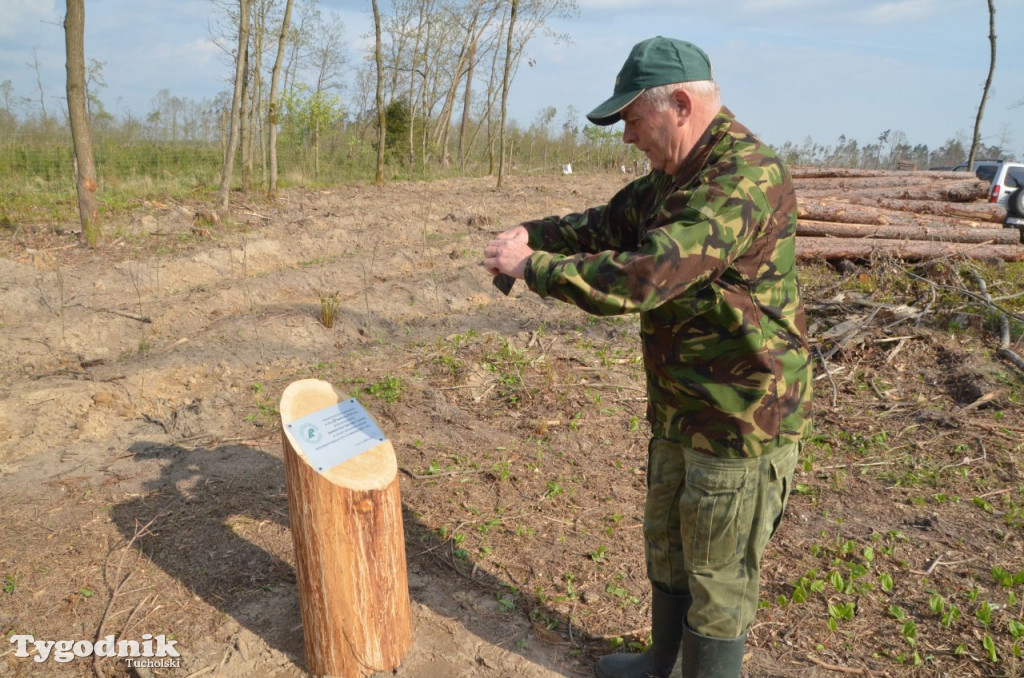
[86,169]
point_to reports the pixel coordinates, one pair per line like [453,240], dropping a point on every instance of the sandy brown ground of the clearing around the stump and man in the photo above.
[141,468]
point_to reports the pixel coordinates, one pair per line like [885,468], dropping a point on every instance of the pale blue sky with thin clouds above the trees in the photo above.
[790,69]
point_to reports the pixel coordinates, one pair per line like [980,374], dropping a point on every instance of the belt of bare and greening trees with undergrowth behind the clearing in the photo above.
[443,63]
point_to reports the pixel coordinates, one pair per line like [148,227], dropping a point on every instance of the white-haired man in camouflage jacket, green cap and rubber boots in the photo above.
[703,248]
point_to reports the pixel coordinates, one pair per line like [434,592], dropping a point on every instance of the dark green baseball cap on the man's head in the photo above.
[653,63]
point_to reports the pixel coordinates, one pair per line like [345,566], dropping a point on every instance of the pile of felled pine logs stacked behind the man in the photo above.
[910,216]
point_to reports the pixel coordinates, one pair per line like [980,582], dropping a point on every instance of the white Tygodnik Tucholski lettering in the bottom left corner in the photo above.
[151,653]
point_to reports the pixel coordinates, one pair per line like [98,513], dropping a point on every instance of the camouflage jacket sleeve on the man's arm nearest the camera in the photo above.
[693,239]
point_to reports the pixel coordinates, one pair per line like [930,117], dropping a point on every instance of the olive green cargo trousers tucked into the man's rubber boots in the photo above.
[707,523]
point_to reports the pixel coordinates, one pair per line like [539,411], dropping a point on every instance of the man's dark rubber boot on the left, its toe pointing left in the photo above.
[663,659]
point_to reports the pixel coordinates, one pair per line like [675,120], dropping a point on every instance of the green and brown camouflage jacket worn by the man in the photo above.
[708,259]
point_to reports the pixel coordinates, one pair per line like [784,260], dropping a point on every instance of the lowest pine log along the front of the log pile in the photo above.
[849,248]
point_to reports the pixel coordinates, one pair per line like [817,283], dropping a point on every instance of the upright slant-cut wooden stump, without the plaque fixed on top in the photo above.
[350,549]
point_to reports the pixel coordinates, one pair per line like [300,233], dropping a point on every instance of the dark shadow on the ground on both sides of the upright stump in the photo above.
[192,520]
